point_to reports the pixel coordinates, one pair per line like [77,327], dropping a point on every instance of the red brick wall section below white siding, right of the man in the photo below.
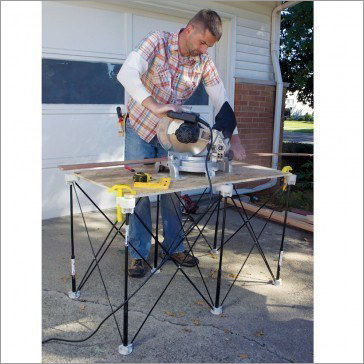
[254,111]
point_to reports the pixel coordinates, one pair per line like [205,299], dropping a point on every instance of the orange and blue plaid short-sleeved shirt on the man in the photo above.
[170,78]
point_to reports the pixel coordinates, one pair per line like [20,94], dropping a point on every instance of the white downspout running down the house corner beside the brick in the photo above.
[274,51]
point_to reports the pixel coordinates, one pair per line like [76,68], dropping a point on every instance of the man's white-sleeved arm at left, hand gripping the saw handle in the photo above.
[134,67]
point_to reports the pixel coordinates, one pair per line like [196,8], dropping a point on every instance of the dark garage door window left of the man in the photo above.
[79,82]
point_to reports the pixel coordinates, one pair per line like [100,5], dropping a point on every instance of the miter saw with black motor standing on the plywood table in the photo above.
[192,145]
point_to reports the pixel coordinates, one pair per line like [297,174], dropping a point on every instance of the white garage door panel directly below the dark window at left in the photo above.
[93,137]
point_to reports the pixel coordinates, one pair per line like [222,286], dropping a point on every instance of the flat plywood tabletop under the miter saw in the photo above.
[242,172]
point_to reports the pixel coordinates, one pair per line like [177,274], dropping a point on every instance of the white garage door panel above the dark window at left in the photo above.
[79,28]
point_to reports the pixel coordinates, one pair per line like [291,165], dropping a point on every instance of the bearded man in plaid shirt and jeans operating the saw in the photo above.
[160,75]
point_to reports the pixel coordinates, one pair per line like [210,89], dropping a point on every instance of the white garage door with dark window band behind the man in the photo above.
[83,50]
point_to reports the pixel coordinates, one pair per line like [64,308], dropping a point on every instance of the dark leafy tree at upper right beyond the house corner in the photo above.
[296,50]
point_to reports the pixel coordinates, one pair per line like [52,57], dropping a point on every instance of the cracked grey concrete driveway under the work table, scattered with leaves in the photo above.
[260,323]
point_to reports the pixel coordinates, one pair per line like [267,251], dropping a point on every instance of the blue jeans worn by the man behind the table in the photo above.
[136,148]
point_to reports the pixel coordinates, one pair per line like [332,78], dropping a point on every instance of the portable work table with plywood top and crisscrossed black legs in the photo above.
[225,193]
